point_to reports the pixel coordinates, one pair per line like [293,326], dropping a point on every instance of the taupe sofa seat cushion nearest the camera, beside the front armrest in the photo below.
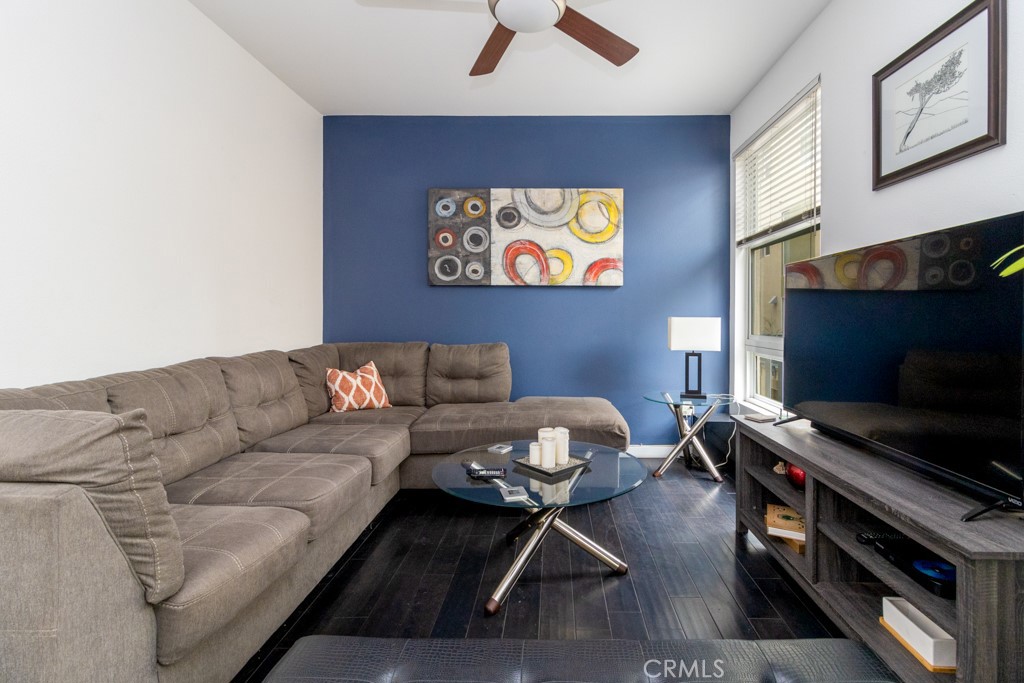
[232,556]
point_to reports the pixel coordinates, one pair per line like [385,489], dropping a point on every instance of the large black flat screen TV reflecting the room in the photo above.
[914,350]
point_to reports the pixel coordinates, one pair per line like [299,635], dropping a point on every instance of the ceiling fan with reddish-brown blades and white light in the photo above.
[534,16]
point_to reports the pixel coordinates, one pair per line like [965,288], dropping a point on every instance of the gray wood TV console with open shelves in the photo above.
[850,490]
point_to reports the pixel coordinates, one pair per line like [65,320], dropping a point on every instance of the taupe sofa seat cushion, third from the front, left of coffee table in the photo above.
[385,447]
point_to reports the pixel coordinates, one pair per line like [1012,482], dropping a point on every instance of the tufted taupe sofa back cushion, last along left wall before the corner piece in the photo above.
[265,395]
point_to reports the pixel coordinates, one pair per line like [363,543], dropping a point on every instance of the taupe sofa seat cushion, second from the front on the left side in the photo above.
[322,486]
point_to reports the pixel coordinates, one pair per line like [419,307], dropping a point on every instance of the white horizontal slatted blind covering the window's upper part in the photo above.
[779,173]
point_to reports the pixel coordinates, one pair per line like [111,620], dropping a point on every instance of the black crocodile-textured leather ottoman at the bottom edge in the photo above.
[351,660]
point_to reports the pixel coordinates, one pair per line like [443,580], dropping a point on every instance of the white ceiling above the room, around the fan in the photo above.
[413,57]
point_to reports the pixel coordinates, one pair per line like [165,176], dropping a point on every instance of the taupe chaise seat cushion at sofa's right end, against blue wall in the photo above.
[452,428]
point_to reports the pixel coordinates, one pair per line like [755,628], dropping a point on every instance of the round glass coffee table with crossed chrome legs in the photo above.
[609,474]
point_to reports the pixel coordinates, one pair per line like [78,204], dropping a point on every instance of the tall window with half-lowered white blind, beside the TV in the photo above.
[778,209]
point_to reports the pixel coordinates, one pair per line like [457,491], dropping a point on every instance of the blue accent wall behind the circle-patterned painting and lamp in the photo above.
[610,343]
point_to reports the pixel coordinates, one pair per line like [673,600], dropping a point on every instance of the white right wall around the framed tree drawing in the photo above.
[849,42]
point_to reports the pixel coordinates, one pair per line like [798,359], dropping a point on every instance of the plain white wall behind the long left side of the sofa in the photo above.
[160,193]
